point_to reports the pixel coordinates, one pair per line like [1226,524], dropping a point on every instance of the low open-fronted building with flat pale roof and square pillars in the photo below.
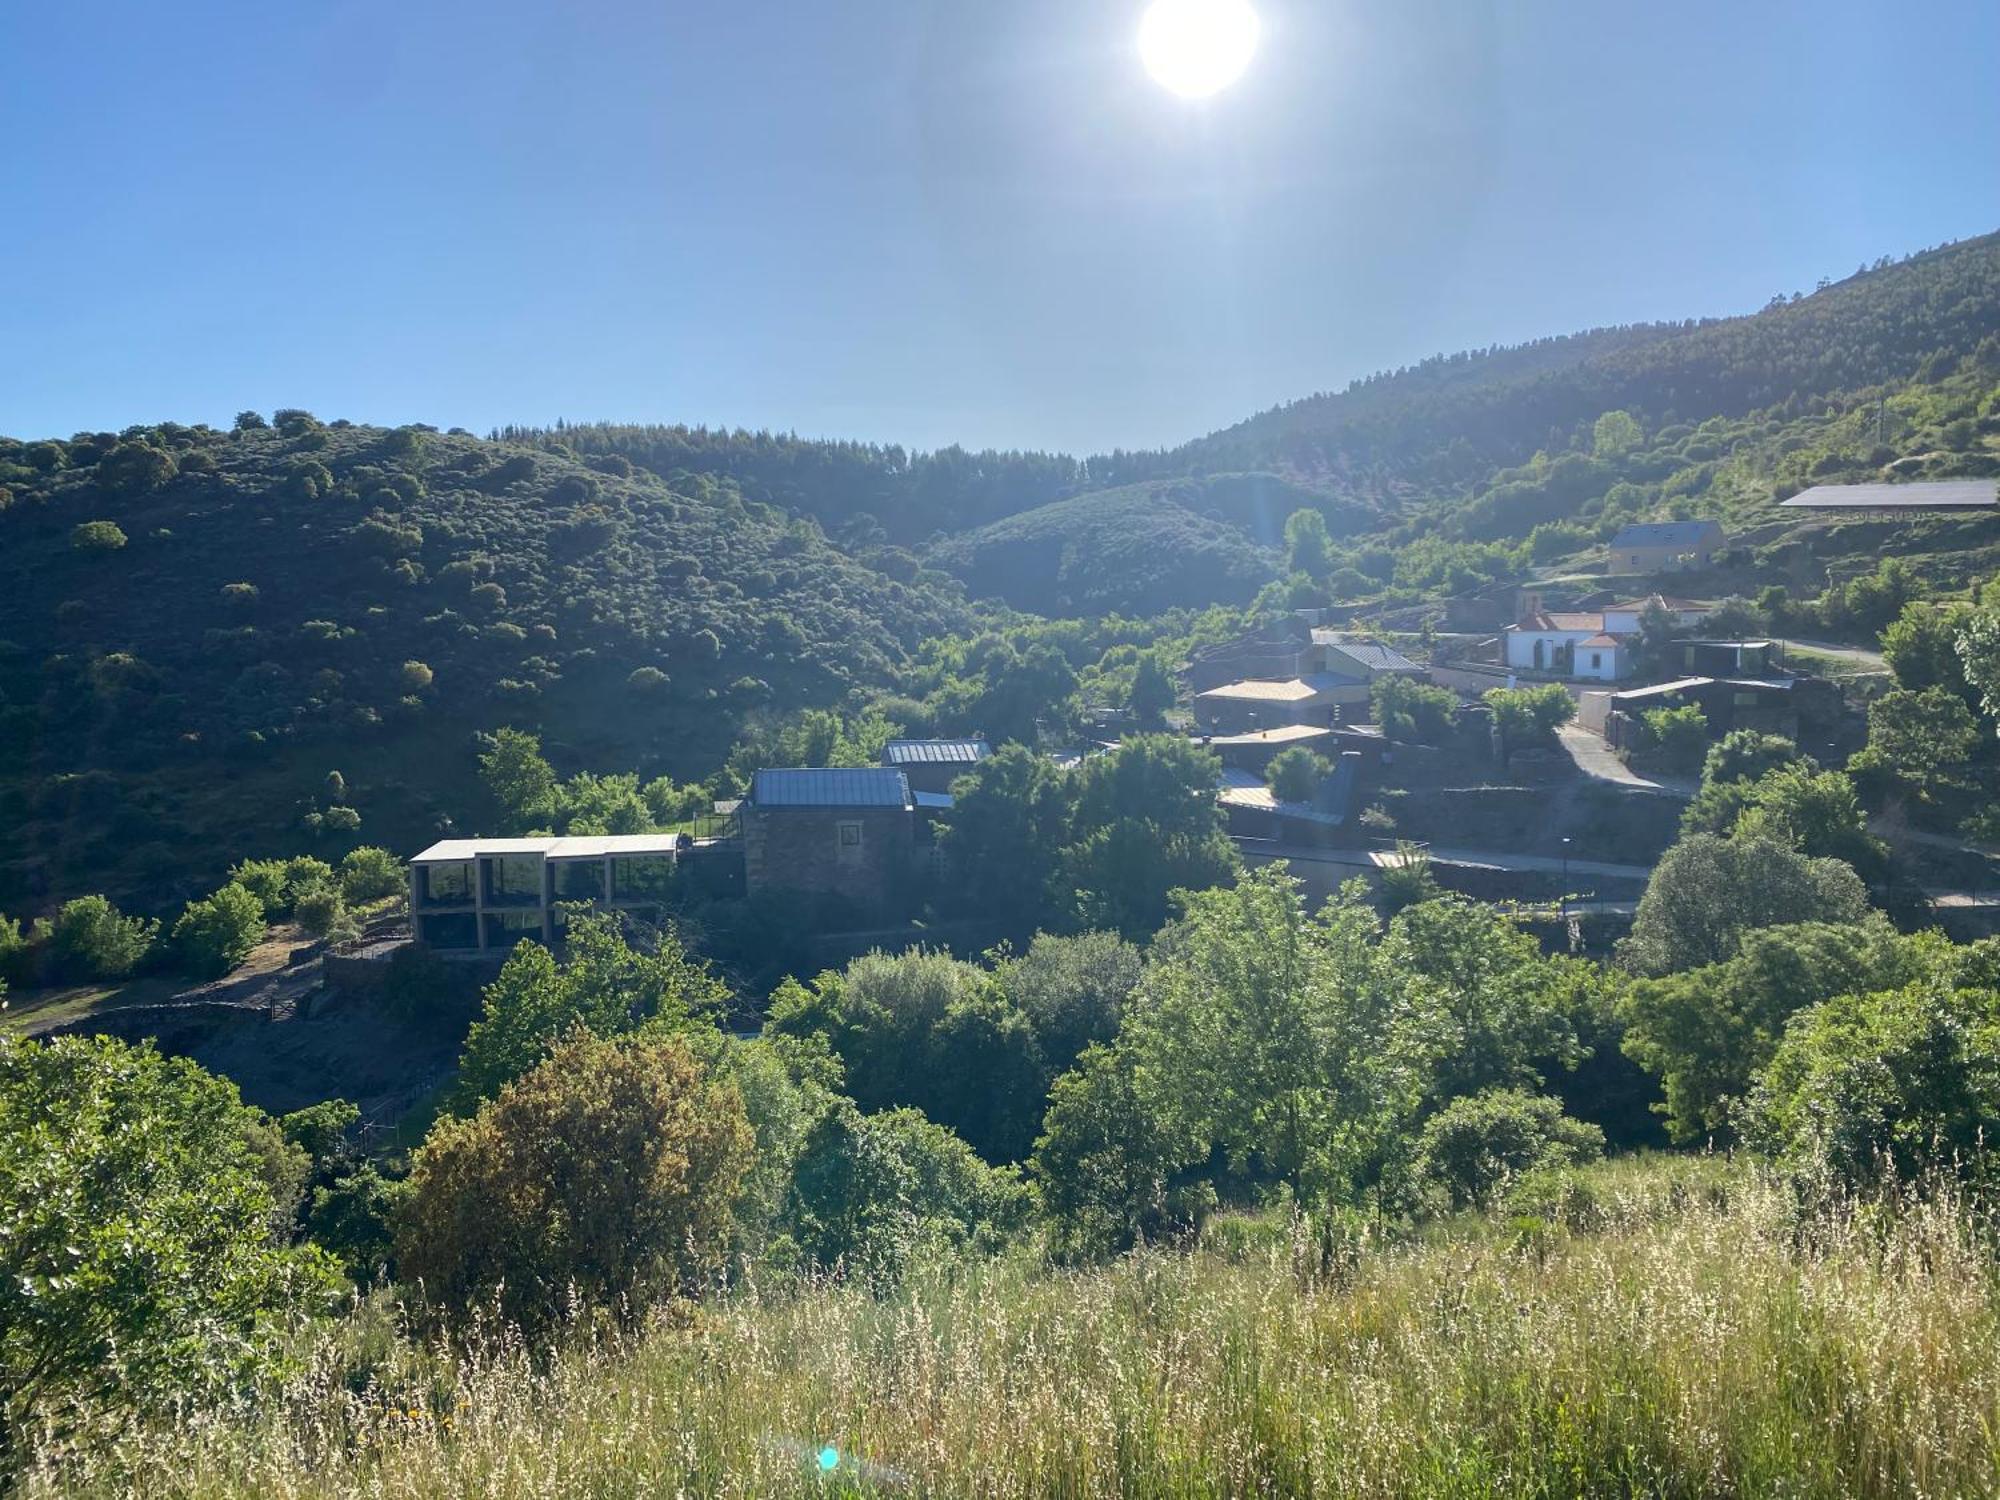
[485,895]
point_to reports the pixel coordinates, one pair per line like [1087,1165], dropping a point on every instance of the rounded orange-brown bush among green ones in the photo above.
[605,1173]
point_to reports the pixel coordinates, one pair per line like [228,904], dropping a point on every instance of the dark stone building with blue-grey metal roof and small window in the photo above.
[841,839]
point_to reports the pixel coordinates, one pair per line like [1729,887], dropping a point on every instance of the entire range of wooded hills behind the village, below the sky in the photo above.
[309,599]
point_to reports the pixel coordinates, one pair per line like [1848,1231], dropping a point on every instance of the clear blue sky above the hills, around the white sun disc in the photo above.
[925,221]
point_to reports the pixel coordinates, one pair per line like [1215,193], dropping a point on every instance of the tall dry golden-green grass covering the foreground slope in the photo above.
[1679,1337]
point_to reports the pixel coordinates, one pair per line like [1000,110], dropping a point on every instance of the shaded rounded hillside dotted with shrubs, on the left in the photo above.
[203,625]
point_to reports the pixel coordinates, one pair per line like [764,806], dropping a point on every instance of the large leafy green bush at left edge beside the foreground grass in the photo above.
[137,1267]
